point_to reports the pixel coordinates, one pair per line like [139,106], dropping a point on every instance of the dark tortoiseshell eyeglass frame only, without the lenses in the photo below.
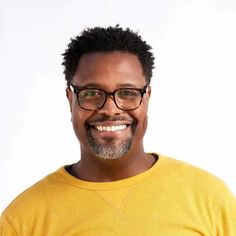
[77,90]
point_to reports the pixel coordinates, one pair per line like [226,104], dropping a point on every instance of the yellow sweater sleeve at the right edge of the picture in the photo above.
[226,218]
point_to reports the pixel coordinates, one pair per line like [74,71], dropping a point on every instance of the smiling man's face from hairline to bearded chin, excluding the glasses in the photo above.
[109,133]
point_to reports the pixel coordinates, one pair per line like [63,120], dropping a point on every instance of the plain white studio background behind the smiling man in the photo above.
[192,113]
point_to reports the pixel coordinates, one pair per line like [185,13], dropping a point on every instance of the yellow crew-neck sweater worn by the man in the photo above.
[170,199]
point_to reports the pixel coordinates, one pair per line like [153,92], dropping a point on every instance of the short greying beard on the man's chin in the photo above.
[110,150]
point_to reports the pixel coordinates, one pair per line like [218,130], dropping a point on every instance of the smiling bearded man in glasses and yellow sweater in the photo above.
[116,188]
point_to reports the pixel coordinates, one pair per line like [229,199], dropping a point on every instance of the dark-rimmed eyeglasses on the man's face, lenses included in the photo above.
[92,99]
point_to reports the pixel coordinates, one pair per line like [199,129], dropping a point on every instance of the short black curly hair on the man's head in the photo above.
[109,39]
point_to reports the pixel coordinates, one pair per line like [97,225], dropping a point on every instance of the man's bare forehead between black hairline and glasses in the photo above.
[109,69]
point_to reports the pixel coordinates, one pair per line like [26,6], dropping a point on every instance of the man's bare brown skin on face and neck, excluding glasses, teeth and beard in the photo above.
[110,71]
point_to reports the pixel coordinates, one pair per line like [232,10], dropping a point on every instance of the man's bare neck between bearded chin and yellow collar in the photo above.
[92,168]
